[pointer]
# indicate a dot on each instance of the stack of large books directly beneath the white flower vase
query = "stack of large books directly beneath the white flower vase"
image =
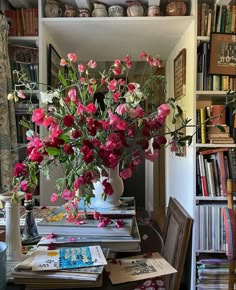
(118, 239)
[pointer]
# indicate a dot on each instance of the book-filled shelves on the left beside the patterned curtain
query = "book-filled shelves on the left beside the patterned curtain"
(23, 41)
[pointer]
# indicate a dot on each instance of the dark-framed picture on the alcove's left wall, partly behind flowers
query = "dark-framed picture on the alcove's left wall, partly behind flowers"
(53, 67)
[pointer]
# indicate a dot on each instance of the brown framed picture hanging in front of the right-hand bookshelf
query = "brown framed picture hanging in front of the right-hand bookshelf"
(222, 54)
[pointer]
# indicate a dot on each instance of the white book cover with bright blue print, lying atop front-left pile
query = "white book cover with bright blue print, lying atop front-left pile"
(68, 258)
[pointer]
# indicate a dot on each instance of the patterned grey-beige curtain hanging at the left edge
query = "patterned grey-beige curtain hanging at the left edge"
(8, 139)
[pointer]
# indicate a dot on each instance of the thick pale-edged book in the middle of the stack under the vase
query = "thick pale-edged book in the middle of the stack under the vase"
(59, 225)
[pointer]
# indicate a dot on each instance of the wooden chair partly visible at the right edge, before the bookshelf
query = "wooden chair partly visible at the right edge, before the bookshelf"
(229, 216)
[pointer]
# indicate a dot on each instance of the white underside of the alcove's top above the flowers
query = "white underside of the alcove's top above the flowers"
(120, 35)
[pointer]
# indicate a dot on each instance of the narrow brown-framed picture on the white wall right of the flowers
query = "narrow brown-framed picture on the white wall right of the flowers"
(180, 74)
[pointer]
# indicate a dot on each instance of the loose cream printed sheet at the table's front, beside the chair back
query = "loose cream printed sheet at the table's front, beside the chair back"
(138, 268)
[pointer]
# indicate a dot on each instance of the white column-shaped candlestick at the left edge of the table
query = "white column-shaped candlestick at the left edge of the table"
(13, 234)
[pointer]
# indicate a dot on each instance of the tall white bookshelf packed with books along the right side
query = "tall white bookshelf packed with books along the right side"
(211, 91)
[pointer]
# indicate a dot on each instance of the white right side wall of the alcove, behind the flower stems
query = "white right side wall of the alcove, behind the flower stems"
(180, 178)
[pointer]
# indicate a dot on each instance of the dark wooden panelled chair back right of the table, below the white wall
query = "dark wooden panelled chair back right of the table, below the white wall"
(176, 234)
